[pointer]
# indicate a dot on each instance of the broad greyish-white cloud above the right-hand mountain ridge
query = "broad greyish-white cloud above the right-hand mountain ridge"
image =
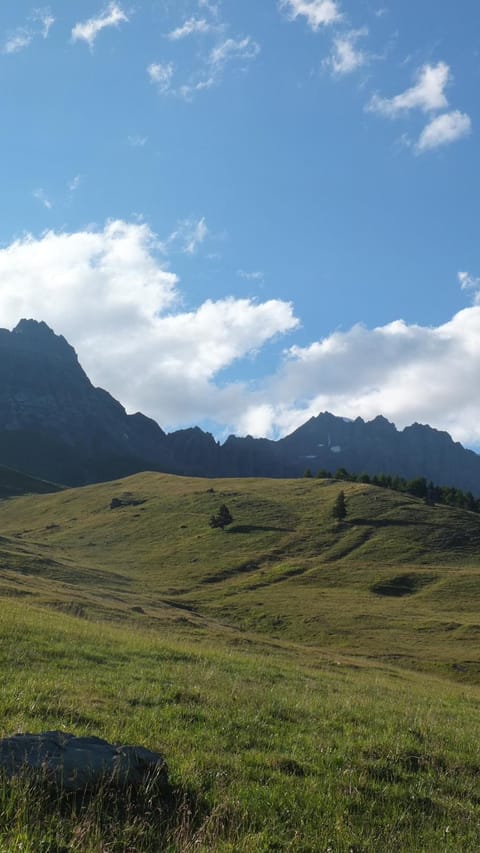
(406, 372)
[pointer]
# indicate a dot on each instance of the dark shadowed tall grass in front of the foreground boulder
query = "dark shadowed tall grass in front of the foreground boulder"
(148, 818)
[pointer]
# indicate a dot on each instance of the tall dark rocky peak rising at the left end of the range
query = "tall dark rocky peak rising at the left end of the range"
(54, 424)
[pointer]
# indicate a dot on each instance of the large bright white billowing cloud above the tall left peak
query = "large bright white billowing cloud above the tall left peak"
(109, 292)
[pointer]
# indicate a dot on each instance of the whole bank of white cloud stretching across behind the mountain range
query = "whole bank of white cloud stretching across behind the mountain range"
(109, 292)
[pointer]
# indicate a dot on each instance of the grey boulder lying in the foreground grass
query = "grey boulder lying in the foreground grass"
(75, 764)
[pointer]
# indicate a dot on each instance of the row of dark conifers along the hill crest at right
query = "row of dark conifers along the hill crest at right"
(419, 487)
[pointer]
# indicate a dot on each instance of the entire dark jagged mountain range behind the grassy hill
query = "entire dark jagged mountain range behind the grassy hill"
(54, 424)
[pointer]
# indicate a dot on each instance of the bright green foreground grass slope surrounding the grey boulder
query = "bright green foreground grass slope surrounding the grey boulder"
(285, 750)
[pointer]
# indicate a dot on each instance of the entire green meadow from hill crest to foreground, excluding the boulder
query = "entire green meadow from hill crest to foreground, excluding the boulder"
(312, 684)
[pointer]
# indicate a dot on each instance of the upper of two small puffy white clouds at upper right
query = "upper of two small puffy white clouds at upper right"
(428, 93)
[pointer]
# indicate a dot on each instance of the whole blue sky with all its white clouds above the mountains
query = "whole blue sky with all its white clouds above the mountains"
(242, 213)
